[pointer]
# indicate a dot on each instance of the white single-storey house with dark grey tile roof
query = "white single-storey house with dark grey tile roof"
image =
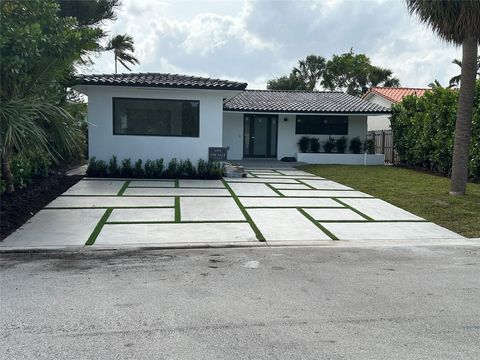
(151, 115)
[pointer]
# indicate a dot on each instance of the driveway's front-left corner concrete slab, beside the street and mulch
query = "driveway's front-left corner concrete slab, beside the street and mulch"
(56, 228)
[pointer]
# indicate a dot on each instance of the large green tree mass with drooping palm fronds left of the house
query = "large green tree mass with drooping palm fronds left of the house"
(39, 48)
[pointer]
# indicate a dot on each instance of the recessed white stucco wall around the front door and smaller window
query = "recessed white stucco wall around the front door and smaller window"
(287, 139)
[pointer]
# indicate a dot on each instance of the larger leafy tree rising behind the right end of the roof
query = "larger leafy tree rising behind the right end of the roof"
(355, 74)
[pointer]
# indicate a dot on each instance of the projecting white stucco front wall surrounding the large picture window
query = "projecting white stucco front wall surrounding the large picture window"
(103, 144)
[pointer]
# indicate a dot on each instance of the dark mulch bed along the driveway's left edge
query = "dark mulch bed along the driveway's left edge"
(21, 205)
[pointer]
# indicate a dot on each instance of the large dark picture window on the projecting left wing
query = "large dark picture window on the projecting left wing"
(155, 117)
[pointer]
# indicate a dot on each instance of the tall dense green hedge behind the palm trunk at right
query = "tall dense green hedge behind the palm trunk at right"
(424, 127)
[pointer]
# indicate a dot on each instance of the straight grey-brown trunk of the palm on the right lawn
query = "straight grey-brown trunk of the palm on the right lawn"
(463, 125)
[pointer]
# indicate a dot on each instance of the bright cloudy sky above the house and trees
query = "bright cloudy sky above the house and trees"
(255, 41)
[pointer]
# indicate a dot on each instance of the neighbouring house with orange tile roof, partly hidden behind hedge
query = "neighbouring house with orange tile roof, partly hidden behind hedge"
(386, 96)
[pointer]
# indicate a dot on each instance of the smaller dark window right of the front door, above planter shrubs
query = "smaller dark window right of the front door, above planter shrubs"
(321, 125)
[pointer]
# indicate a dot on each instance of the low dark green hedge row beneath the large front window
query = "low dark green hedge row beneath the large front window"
(155, 169)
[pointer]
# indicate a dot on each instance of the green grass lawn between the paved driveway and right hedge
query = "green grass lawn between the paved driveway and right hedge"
(420, 193)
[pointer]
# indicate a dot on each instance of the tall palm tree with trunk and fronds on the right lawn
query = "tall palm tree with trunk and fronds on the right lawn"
(458, 22)
